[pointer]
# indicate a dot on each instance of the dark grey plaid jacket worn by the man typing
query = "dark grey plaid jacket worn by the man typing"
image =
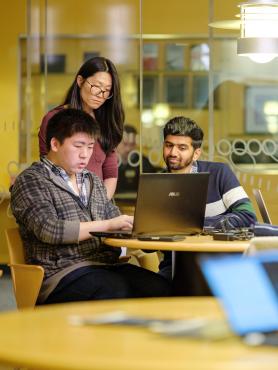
(49, 214)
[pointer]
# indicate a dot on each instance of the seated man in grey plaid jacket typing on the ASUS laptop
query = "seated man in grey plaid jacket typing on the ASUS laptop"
(57, 203)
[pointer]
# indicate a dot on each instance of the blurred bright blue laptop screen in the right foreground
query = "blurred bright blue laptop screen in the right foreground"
(247, 290)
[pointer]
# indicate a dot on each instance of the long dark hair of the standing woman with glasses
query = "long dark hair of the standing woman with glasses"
(110, 114)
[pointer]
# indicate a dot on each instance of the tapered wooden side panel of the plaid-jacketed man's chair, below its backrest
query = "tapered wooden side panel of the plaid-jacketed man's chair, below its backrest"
(27, 281)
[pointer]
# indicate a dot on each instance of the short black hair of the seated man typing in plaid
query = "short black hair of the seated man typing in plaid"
(68, 122)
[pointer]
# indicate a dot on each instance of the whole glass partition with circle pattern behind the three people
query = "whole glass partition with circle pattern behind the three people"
(168, 67)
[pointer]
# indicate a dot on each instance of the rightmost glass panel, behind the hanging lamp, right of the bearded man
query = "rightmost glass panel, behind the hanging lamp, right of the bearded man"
(246, 122)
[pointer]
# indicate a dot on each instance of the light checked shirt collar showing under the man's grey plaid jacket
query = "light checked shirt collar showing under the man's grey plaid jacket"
(80, 179)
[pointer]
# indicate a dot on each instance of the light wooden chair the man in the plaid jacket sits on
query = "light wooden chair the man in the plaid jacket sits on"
(27, 279)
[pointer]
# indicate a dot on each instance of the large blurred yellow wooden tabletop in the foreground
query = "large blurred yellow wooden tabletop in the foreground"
(44, 339)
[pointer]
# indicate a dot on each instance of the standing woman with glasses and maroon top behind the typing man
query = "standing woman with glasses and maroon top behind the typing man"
(96, 90)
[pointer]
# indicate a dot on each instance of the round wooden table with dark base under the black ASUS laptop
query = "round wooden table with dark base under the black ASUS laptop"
(188, 279)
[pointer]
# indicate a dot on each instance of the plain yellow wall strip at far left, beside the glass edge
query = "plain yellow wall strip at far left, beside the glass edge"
(12, 23)
